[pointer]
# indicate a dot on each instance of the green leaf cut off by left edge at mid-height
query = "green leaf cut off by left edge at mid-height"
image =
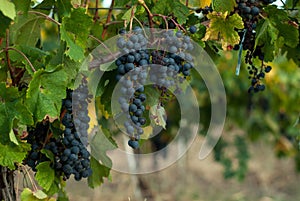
(12, 108)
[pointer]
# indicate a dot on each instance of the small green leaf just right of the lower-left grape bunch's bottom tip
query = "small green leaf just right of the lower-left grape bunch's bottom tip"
(99, 172)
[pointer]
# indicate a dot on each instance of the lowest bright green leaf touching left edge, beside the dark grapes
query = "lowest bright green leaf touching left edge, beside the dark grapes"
(11, 154)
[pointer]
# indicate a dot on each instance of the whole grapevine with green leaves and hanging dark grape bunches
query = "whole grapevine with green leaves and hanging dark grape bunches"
(146, 50)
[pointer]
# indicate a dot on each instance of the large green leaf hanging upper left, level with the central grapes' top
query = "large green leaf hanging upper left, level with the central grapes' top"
(75, 36)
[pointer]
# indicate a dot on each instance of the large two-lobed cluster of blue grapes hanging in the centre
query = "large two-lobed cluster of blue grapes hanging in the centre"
(163, 66)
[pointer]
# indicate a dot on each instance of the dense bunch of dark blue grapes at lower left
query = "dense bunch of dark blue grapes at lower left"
(68, 148)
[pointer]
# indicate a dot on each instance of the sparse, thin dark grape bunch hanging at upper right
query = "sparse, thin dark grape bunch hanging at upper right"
(250, 11)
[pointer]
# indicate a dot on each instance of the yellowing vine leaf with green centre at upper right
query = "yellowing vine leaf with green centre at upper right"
(222, 27)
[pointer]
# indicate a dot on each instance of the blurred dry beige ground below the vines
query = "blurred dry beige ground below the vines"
(191, 179)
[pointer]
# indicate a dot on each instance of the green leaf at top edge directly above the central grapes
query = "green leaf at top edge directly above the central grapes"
(175, 7)
